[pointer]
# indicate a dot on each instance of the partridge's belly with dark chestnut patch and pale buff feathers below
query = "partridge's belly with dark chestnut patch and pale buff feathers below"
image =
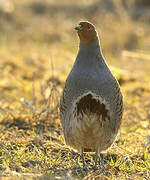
(90, 115)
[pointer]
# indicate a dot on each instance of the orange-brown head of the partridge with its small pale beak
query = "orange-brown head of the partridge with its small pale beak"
(86, 32)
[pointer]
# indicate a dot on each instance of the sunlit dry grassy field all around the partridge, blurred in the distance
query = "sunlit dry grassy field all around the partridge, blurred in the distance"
(38, 45)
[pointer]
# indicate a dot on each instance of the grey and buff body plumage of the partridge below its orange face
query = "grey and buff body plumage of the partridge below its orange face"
(91, 105)
